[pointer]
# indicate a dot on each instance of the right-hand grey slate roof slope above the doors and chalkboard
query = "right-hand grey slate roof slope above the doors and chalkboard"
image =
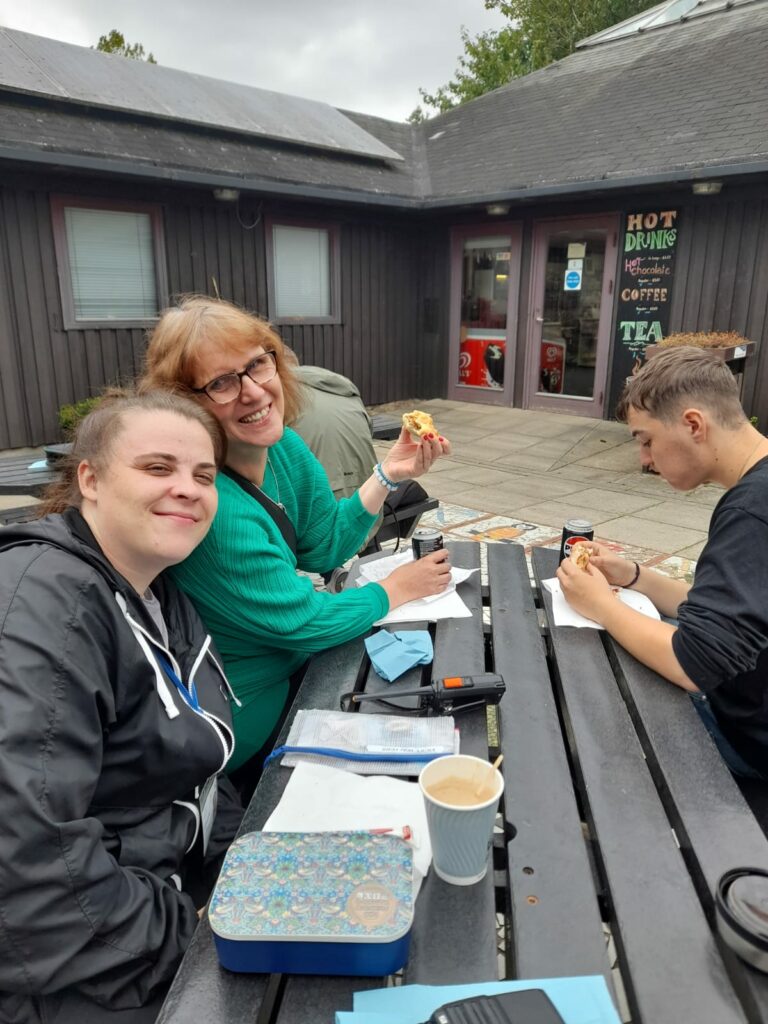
(676, 103)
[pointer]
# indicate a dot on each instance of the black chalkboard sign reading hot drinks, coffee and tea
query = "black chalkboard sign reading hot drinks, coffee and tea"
(645, 294)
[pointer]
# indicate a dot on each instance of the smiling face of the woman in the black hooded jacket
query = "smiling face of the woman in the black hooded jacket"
(154, 498)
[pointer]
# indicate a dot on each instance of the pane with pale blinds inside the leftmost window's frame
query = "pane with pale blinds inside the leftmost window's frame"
(112, 263)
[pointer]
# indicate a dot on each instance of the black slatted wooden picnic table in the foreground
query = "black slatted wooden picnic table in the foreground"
(619, 818)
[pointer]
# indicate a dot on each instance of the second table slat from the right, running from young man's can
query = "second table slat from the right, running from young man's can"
(670, 962)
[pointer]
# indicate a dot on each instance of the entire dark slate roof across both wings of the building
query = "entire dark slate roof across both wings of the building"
(681, 102)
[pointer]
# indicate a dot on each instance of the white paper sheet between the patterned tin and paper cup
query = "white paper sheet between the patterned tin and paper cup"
(322, 799)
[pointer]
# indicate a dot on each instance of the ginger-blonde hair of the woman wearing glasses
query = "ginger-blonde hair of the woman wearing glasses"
(199, 323)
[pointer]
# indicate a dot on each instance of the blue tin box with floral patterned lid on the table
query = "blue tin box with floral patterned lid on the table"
(315, 904)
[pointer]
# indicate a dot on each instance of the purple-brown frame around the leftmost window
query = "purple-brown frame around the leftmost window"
(71, 322)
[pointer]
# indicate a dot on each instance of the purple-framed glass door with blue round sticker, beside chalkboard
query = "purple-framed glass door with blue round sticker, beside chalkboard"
(570, 334)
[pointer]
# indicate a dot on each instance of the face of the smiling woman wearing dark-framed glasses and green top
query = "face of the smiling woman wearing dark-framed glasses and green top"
(255, 419)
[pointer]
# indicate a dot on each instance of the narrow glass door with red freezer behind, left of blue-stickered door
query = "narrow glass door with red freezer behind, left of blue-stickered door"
(486, 276)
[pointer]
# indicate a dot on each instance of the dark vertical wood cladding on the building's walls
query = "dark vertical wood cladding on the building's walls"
(394, 335)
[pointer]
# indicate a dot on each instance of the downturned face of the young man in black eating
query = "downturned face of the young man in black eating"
(674, 450)
